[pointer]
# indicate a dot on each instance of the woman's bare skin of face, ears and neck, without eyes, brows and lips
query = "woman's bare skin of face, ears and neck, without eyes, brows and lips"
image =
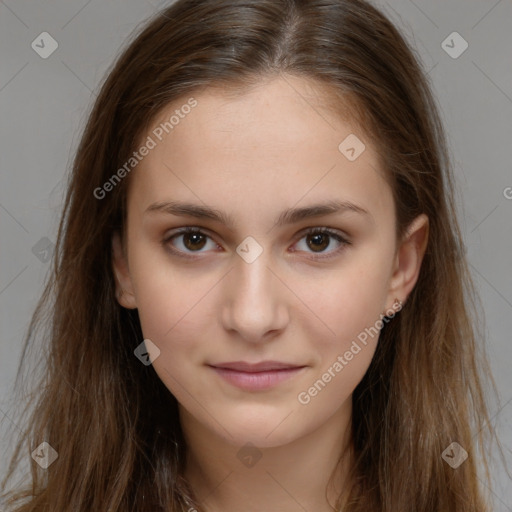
(252, 156)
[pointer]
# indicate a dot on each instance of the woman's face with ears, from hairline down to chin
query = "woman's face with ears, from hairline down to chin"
(292, 256)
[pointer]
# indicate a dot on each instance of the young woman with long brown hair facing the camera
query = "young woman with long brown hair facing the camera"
(317, 352)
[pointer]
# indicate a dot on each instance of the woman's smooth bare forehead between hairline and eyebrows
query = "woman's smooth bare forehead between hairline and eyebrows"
(266, 148)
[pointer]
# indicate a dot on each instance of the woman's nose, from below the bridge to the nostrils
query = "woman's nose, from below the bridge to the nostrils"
(255, 304)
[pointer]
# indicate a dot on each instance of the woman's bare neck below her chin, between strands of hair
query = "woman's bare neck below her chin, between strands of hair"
(290, 478)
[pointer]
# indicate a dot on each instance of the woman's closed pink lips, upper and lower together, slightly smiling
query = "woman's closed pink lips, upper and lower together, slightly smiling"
(256, 376)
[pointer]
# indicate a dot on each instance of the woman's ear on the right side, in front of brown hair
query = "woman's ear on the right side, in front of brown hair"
(408, 259)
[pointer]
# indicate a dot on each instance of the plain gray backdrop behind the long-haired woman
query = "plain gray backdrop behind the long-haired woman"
(44, 103)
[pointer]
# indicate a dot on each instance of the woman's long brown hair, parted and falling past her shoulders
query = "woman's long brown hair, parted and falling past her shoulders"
(111, 420)
